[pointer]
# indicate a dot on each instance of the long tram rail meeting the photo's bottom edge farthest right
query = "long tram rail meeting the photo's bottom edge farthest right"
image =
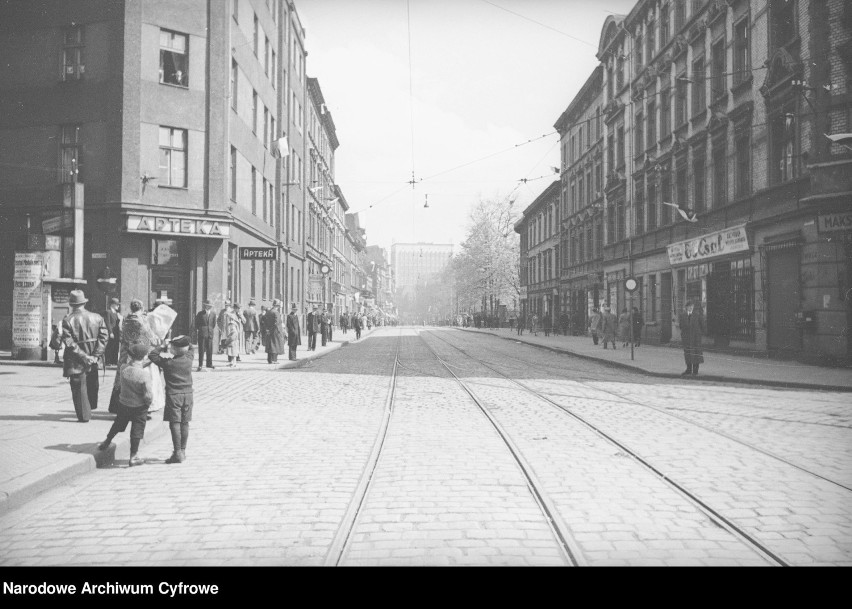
(714, 515)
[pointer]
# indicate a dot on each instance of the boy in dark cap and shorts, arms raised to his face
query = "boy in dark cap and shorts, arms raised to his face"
(176, 364)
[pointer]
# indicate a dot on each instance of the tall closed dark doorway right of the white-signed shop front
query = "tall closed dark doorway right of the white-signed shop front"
(784, 299)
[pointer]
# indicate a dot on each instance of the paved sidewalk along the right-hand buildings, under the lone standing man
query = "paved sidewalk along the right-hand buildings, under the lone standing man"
(667, 362)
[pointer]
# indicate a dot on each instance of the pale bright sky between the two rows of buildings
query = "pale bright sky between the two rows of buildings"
(453, 92)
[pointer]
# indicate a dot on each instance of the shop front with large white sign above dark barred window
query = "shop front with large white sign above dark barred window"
(716, 270)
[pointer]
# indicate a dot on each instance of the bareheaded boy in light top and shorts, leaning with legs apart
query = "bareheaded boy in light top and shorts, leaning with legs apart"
(136, 396)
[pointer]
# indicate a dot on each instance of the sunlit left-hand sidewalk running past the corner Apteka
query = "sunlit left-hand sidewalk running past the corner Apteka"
(43, 445)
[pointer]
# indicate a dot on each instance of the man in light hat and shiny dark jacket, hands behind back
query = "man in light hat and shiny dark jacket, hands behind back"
(84, 335)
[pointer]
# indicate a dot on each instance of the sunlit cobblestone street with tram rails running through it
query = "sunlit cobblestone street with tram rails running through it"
(606, 467)
